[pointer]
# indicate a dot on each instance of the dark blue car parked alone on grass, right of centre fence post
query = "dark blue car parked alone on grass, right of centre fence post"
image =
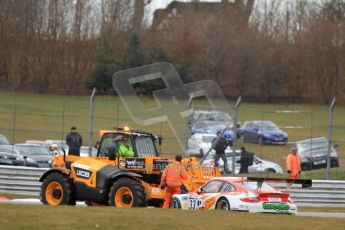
(262, 132)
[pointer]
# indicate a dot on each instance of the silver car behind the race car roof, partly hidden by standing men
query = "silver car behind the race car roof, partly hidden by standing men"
(259, 165)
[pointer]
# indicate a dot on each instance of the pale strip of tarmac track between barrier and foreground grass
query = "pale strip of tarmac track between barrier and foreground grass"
(310, 214)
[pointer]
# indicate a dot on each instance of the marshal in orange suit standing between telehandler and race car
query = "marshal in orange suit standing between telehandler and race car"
(172, 178)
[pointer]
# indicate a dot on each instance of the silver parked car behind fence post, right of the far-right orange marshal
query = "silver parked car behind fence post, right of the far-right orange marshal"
(313, 153)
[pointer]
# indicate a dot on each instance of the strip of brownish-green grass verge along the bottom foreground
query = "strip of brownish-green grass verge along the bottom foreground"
(48, 217)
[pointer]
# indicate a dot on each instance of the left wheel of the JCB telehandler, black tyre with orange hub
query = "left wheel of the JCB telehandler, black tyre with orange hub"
(56, 190)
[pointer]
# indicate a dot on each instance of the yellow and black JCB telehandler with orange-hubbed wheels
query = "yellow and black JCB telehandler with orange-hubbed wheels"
(110, 179)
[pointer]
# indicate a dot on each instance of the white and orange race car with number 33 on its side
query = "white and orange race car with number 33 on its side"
(236, 194)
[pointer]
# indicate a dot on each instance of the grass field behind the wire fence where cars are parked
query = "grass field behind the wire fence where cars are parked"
(25, 117)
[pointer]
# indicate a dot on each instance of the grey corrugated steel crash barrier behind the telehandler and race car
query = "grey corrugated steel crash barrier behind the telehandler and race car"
(24, 180)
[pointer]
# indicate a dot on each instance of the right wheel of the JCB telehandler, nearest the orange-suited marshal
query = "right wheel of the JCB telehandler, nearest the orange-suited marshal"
(127, 192)
